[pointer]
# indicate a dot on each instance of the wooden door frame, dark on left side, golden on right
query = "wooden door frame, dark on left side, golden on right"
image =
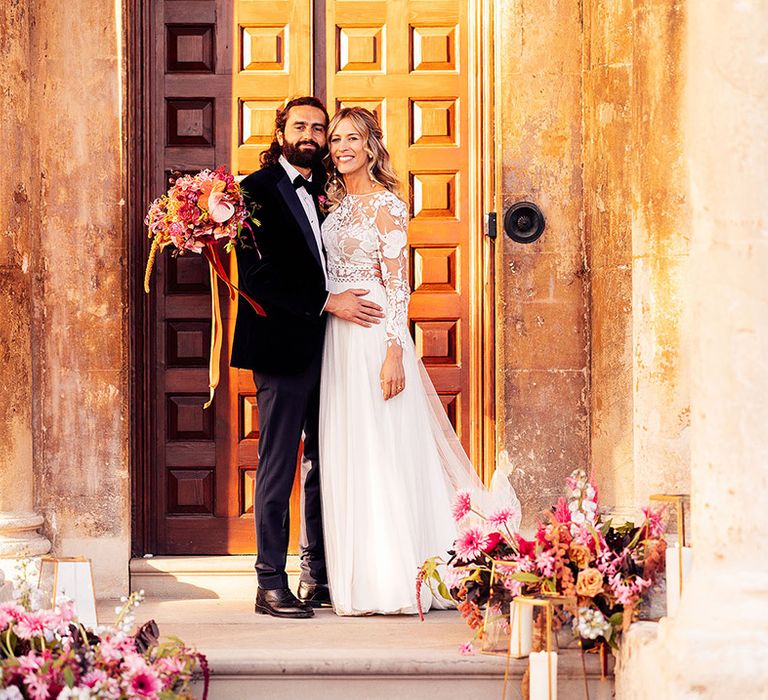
(485, 176)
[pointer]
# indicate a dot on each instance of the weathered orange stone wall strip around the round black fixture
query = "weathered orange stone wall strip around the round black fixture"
(542, 426)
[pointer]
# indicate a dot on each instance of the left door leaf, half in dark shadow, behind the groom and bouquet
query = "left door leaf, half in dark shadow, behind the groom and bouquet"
(220, 70)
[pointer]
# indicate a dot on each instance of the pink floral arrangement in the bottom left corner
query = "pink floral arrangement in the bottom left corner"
(46, 655)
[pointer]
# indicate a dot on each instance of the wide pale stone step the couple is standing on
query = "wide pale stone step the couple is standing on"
(342, 658)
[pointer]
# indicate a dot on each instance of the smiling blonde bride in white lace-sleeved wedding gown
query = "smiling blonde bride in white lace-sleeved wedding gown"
(391, 461)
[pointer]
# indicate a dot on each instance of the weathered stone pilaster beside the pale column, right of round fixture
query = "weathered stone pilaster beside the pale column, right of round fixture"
(637, 219)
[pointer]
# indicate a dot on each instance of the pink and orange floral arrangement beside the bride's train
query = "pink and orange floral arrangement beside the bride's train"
(576, 552)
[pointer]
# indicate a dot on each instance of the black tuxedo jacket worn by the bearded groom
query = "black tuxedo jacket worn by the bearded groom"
(284, 274)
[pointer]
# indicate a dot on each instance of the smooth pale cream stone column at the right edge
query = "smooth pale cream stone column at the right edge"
(717, 645)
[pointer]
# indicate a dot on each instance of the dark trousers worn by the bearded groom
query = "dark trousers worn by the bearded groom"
(288, 406)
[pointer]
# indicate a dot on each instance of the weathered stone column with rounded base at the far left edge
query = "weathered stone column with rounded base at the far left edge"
(18, 519)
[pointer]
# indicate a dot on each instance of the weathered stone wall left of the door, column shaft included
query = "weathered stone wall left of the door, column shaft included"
(64, 277)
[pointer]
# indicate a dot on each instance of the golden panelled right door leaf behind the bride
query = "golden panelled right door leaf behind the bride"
(407, 61)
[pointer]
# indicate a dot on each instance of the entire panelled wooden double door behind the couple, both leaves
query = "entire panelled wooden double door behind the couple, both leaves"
(221, 68)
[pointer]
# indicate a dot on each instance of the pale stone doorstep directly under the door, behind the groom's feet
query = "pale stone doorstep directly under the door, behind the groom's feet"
(179, 578)
